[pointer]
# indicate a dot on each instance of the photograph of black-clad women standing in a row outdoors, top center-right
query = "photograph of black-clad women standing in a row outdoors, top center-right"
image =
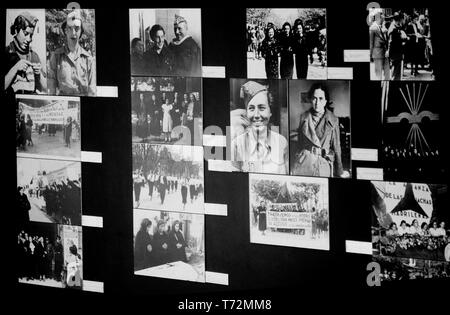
(286, 44)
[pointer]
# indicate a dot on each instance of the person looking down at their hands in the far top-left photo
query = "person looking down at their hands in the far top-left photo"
(23, 71)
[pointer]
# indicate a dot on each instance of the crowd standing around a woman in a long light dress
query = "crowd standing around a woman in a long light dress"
(157, 116)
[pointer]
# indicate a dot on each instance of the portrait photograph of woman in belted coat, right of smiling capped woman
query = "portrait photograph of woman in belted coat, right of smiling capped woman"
(319, 122)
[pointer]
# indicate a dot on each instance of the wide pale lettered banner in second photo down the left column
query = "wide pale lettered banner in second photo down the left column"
(53, 113)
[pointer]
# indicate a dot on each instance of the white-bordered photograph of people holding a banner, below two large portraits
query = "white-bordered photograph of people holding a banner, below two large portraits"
(289, 211)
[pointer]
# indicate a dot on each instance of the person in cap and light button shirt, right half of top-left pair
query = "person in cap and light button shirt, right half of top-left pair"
(71, 69)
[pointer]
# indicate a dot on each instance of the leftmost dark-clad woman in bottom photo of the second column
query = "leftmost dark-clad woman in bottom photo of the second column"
(143, 246)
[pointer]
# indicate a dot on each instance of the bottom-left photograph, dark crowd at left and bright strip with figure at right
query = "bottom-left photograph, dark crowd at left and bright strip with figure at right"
(50, 255)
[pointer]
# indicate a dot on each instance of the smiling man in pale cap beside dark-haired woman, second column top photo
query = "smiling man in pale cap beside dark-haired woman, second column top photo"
(185, 50)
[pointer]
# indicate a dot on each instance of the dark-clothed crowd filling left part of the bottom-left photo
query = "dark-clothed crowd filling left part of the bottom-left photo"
(39, 258)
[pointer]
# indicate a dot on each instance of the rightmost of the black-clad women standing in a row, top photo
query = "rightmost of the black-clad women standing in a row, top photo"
(300, 50)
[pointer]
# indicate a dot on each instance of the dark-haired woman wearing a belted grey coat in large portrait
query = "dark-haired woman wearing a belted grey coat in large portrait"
(319, 148)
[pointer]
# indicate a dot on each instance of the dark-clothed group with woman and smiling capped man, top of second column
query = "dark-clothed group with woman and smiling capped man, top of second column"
(182, 56)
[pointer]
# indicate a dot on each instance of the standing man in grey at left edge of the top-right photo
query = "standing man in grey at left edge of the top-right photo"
(379, 46)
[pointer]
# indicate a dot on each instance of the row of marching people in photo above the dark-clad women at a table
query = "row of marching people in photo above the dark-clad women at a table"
(161, 185)
